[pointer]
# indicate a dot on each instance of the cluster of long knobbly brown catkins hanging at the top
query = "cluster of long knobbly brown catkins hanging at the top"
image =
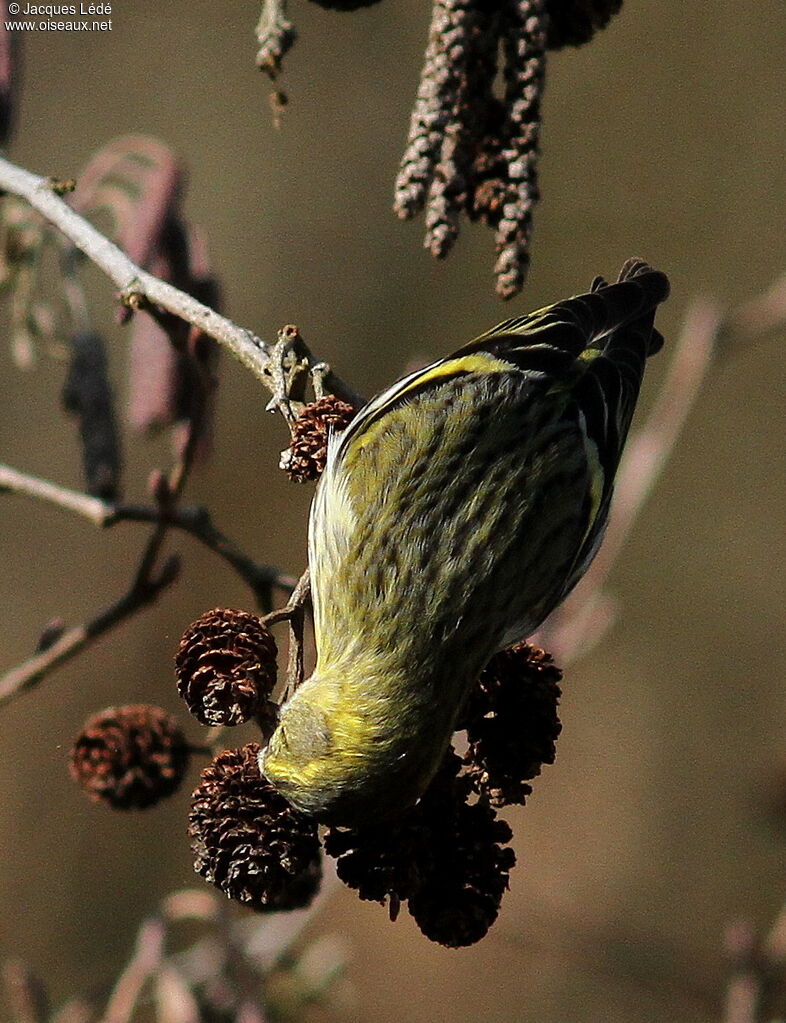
(470, 153)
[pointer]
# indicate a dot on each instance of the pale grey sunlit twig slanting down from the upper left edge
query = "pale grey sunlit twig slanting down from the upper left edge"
(141, 290)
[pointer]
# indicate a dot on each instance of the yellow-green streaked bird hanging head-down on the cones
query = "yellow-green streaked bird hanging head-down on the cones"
(456, 512)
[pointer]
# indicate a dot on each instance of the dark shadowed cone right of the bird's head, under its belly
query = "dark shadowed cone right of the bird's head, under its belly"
(512, 724)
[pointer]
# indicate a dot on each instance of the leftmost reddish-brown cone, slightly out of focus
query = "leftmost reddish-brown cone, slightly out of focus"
(130, 758)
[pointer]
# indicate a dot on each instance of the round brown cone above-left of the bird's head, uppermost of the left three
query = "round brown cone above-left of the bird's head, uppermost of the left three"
(226, 666)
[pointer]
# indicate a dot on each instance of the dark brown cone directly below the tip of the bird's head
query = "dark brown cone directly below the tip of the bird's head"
(248, 840)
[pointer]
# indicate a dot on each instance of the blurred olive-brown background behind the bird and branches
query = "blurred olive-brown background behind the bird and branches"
(659, 824)
